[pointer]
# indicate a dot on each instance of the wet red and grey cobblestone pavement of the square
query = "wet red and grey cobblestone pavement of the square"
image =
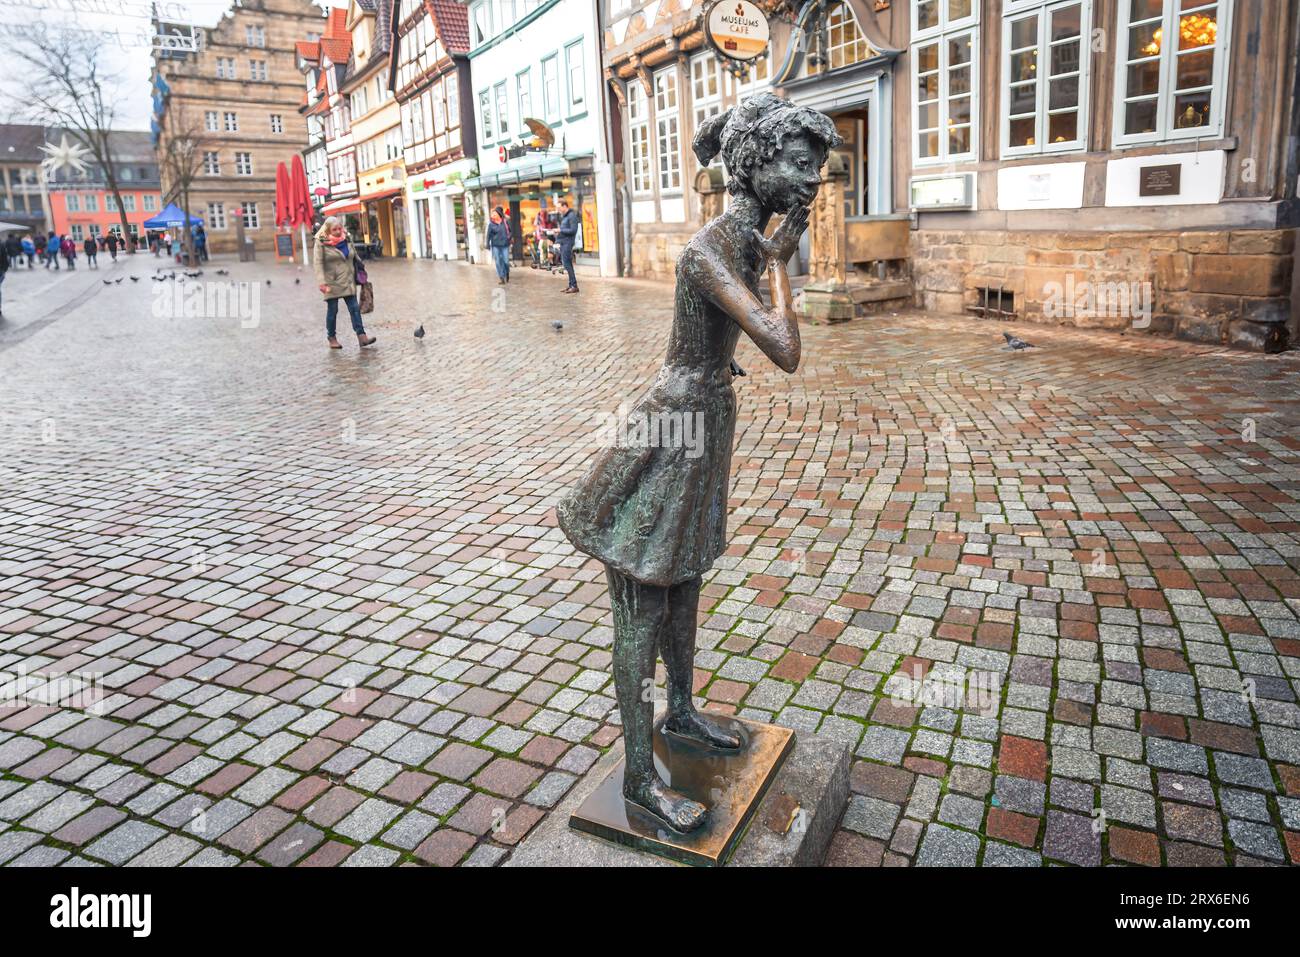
(1048, 599)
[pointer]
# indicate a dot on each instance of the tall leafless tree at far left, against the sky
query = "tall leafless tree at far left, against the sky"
(64, 85)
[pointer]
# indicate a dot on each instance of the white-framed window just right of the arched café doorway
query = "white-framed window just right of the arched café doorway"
(946, 103)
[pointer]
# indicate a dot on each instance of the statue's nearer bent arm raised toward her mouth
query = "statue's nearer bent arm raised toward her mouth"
(775, 331)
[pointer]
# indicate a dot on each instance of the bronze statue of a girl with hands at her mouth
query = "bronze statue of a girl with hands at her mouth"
(656, 513)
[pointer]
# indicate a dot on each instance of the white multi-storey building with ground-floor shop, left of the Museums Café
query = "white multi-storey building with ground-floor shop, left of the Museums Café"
(540, 60)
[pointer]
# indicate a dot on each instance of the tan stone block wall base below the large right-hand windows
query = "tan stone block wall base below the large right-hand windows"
(1221, 287)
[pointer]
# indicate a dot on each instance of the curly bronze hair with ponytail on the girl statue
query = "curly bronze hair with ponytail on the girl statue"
(755, 132)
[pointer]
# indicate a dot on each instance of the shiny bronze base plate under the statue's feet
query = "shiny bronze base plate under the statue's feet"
(730, 783)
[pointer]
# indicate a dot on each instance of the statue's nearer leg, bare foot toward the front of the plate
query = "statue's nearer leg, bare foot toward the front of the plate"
(640, 614)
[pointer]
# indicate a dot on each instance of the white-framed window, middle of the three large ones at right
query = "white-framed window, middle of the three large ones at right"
(1045, 102)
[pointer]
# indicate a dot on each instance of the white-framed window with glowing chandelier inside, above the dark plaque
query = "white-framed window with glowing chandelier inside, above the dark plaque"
(1165, 90)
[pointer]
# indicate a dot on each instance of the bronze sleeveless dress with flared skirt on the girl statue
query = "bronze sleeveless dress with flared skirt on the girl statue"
(658, 514)
